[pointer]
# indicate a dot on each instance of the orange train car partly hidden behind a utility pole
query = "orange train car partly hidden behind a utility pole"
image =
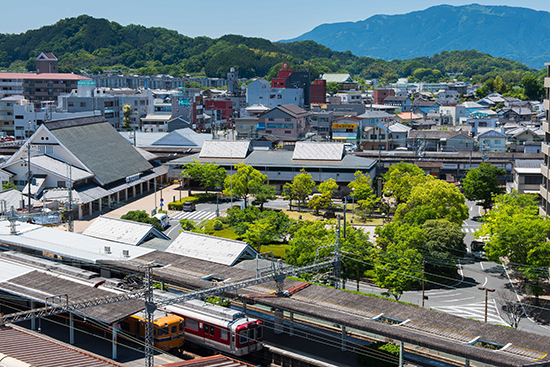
(168, 330)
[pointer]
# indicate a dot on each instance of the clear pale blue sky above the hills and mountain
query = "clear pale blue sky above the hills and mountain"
(274, 20)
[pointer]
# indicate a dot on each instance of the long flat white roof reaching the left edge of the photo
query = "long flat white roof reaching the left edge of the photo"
(66, 244)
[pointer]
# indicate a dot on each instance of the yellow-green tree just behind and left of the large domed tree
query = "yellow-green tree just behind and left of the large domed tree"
(401, 178)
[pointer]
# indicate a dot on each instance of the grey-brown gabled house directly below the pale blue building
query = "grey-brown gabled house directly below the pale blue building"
(288, 122)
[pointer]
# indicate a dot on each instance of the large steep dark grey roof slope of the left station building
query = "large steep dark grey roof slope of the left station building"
(99, 147)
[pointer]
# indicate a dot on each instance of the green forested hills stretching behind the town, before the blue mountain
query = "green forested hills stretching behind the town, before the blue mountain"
(86, 43)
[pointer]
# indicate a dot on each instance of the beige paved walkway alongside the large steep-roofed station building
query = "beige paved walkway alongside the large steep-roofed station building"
(146, 203)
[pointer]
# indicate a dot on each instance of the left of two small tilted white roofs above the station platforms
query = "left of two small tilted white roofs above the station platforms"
(122, 231)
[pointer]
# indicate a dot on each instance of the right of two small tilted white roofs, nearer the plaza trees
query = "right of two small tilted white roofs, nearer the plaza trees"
(215, 249)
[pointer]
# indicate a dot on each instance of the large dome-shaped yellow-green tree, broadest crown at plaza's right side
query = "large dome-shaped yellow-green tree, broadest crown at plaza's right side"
(444, 198)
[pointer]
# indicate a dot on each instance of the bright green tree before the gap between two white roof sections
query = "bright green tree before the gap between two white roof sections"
(246, 181)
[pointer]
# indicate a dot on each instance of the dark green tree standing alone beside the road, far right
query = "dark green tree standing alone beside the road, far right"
(481, 183)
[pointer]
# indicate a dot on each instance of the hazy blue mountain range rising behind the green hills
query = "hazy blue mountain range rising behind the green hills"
(515, 33)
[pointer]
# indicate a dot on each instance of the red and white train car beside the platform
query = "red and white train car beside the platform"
(221, 328)
